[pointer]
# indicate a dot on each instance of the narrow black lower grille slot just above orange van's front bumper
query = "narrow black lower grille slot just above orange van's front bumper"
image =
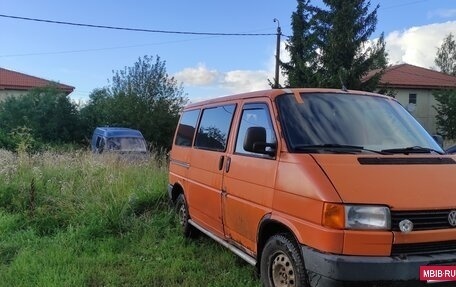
(423, 248)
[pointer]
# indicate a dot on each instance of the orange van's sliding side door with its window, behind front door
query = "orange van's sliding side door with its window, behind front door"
(207, 166)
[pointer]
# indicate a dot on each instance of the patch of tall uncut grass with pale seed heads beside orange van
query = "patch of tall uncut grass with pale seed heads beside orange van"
(54, 191)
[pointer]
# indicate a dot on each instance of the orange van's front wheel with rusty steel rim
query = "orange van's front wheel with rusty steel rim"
(282, 263)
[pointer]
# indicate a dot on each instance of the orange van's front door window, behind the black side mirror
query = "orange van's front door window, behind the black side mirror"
(254, 115)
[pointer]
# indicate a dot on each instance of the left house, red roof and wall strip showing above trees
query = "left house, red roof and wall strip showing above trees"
(16, 84)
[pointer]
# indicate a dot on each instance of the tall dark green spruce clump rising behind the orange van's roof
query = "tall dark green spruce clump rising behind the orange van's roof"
(331, 48)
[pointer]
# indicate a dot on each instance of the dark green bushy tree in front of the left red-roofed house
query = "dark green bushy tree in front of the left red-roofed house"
(47, 112)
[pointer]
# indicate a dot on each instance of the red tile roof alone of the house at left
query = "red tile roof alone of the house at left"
(11, 80)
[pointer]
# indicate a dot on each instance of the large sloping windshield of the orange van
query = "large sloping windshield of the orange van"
(332, 122)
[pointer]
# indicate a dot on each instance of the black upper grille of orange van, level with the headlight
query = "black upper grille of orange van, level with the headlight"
(422, 220)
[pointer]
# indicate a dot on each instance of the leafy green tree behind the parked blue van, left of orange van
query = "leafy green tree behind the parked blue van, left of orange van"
(143, 97)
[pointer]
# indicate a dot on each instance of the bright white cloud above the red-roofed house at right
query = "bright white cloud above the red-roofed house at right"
(417, 45)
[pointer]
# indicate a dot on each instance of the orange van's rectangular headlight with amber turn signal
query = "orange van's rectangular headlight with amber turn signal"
(356, 217)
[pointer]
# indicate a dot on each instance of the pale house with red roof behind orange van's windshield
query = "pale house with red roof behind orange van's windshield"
(413, 87)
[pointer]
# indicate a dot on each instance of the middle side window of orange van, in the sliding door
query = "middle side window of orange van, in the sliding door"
(214, 128)
